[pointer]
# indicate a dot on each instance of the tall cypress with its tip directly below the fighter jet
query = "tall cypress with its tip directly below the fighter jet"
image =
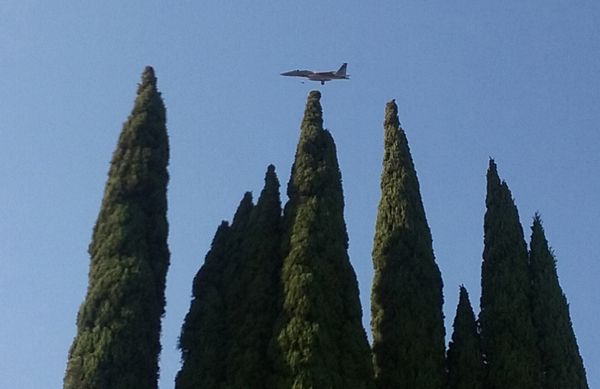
(320, 338)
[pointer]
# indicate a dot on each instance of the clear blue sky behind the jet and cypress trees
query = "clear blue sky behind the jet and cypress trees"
(517, 81)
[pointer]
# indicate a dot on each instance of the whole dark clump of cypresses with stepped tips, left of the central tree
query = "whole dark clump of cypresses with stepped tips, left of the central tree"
(225, 336)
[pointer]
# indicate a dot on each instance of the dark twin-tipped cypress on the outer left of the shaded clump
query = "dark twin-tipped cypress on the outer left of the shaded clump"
(205, 331)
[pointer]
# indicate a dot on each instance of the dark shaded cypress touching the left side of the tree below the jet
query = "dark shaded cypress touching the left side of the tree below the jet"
(254, 292)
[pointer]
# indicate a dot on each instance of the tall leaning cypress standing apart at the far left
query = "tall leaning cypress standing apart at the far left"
(118, 325)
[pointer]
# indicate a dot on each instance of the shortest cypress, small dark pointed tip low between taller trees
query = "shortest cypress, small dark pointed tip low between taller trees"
(464, 360)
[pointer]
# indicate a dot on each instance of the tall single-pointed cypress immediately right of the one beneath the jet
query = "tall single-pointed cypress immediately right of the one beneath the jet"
(406, 301)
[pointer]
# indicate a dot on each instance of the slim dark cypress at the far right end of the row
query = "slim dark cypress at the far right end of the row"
(561, 361)
